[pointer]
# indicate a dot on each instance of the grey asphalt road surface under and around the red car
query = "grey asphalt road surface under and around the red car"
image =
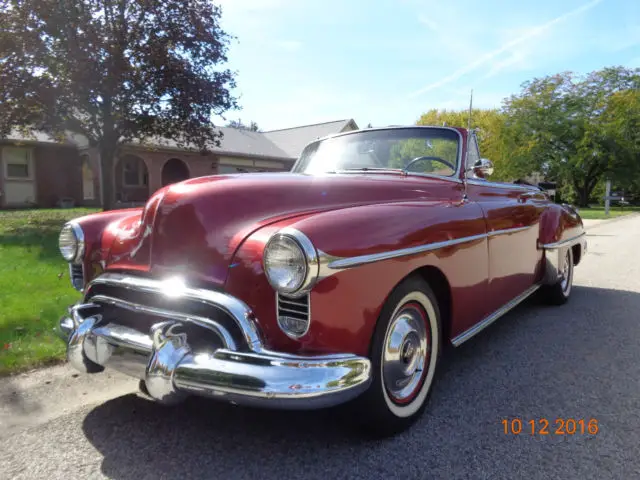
(578, 361)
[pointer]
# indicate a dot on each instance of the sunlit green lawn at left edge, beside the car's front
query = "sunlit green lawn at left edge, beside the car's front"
(34, 286)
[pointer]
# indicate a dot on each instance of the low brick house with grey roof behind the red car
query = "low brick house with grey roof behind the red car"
(41, 172)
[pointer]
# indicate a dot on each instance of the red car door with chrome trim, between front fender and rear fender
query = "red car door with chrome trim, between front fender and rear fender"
(512, 215)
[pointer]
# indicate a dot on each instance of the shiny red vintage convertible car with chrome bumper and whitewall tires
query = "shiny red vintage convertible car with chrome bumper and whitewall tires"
(340, 281)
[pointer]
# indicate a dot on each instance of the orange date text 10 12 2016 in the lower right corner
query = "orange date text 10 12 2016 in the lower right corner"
(543, 426)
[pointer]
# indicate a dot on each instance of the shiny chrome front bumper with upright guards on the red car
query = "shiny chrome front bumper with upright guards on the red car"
(172, 368)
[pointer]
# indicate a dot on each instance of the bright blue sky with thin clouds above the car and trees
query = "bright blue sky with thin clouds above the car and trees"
(386, 62)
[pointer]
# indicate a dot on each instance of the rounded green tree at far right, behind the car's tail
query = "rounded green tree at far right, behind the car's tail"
(559, 125)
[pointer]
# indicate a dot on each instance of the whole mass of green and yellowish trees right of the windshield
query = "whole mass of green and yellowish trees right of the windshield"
(574, 130)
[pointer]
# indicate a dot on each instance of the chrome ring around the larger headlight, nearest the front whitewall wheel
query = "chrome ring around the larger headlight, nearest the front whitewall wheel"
(310, 259)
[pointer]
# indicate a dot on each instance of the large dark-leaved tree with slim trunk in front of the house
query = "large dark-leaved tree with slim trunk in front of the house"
(114, 71)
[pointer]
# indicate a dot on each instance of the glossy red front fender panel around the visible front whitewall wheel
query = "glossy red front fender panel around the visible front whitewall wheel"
(345, 305)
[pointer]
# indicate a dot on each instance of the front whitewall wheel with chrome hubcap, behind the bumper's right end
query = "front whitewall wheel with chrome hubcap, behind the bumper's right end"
(404, 355)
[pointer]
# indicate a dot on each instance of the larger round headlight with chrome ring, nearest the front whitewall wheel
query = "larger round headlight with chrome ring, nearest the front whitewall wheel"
(290, 262)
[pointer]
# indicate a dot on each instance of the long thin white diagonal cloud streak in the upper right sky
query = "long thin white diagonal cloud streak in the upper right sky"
(509, 46)
